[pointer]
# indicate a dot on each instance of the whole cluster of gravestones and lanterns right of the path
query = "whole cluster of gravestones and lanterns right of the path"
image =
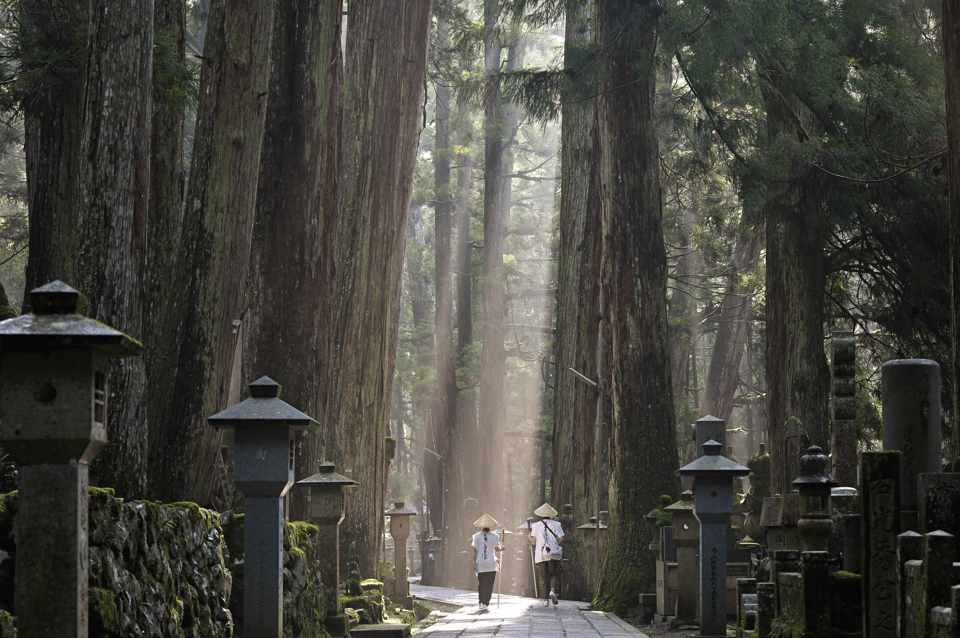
(875, 556)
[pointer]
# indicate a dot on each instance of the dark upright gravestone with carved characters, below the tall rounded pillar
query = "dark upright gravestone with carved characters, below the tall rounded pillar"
(880, 526)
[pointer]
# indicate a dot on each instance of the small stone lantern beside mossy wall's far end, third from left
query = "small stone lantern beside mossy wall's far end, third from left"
(325, 508)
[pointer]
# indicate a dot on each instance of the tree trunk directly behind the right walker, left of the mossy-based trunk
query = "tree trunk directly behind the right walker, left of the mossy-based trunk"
(574, 477)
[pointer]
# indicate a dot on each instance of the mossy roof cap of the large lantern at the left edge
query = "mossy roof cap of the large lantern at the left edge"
(58, 321)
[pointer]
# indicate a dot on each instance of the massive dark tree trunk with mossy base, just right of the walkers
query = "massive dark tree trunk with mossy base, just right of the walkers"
(643, 448)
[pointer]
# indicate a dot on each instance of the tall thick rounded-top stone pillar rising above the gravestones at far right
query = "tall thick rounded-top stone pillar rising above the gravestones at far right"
(911, 424)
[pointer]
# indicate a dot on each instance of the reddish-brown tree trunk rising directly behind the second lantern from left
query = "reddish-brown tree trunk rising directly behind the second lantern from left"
(288, 329)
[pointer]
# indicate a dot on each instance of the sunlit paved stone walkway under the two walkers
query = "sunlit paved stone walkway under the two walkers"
(516, 617)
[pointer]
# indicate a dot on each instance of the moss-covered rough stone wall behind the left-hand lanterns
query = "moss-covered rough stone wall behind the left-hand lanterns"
(172, 571)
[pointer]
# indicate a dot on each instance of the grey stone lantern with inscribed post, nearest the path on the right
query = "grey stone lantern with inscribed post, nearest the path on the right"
(713, 505)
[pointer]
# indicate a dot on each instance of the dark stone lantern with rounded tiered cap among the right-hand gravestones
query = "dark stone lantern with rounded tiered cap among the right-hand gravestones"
(815, 483)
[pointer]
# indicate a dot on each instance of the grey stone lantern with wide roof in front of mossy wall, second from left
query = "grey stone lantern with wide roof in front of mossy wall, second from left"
(263, 461)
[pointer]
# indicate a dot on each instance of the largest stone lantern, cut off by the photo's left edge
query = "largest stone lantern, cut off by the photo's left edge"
(53, 422)
